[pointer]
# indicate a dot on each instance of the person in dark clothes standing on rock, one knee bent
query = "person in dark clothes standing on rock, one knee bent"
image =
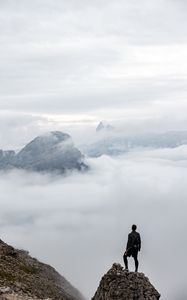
(133, 246)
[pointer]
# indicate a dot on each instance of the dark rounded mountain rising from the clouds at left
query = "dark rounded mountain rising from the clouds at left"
(53, 151)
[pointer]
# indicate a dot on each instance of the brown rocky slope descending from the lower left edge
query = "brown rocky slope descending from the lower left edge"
(25, 278)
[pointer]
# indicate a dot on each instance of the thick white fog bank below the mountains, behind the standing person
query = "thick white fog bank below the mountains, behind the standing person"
(79, 223)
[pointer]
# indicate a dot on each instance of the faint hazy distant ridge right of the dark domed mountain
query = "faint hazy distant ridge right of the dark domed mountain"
(116, 143)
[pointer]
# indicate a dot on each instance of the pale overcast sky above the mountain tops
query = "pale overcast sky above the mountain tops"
(91, 60)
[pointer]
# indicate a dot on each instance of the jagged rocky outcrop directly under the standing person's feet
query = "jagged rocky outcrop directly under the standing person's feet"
(118, 284)
